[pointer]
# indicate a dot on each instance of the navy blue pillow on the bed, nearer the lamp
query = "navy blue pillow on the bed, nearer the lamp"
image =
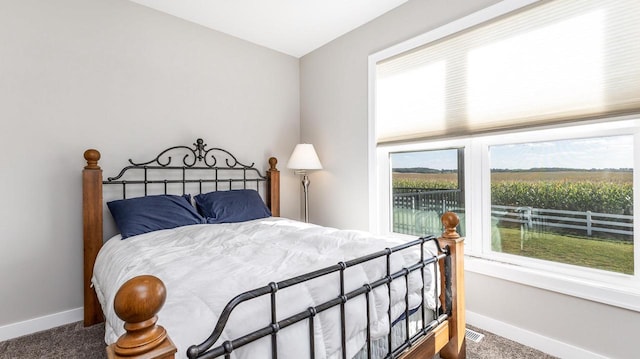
(231, 206)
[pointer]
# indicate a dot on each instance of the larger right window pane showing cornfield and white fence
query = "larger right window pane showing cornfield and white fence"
(567, 201)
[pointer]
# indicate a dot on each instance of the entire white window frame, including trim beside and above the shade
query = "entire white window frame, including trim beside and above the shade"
(602, 286)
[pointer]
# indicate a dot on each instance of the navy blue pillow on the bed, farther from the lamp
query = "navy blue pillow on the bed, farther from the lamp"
(152, 213)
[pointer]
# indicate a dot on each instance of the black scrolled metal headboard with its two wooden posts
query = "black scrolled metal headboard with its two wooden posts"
(201, 170)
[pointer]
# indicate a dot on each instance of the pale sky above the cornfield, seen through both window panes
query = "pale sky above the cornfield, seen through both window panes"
(591, 153)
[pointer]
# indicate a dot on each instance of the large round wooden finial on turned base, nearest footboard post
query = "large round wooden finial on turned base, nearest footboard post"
(137, 302)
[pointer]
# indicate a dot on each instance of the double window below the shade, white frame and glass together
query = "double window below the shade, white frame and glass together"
(558, 201)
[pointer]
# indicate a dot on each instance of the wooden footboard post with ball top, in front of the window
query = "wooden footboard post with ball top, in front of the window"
(456, 347)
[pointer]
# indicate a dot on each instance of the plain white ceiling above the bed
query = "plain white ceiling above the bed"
(294, 27)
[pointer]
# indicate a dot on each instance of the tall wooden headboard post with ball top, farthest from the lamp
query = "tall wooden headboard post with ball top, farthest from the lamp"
(92, 232)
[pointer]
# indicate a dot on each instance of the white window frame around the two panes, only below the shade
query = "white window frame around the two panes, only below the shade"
(608, 287)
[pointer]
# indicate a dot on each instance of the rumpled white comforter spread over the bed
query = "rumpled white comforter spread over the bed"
(204, 266)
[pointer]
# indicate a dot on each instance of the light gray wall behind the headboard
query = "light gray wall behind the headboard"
(127, 80)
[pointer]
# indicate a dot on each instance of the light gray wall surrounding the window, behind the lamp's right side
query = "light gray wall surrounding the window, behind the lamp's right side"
(334, 90)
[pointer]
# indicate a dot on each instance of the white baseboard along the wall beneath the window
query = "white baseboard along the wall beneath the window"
(534, 340)
